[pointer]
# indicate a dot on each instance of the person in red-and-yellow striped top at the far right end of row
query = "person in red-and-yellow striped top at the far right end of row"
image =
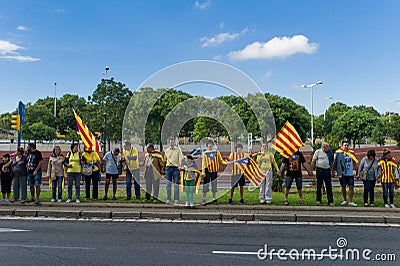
(388, 174)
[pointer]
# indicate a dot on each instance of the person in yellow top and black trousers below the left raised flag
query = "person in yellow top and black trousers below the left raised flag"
(92, 158)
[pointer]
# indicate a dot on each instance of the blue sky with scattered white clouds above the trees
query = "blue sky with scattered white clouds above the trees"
(350, 45)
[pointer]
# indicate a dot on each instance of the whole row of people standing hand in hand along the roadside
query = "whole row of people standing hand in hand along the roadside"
(24, 168)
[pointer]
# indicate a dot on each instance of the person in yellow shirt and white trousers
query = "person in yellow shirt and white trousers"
(265, 161)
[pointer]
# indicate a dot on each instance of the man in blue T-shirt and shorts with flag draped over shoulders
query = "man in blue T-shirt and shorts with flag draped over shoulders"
(345, 163)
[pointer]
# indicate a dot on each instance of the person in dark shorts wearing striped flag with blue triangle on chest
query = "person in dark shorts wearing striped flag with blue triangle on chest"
(211, 162)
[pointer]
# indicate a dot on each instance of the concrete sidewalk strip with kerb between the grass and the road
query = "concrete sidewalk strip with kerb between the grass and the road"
(244, 213)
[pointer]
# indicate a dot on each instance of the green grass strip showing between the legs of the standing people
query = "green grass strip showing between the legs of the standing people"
(251, 197)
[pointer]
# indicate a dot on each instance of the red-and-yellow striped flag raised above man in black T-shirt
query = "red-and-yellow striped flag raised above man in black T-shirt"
(287, 141)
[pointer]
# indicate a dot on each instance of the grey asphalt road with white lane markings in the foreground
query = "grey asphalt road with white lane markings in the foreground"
(144, 243)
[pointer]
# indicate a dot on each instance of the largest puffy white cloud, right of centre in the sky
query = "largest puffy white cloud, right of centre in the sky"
(278, 47)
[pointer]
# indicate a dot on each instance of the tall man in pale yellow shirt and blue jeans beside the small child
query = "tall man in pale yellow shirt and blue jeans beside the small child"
(174, 157)
